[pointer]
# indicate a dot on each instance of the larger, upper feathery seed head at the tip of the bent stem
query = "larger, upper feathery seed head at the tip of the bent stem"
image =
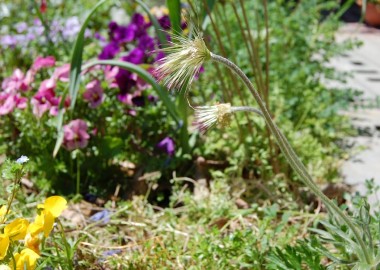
(183, 62)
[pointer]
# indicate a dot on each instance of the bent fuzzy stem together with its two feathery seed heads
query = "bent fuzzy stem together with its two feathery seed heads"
(179, 68)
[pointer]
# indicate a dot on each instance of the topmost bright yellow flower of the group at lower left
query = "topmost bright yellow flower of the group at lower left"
(50, 209)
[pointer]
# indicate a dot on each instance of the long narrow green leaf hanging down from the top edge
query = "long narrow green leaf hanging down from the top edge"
(76, 57)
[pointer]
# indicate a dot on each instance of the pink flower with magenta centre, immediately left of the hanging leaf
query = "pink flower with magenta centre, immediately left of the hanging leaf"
(45, 99)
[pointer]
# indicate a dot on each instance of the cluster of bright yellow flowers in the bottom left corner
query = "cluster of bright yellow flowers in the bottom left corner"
(21, 231)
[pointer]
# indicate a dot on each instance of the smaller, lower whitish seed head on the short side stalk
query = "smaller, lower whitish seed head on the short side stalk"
(208, 116)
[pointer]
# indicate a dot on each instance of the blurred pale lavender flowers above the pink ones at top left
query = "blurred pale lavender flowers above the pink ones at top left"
(23, 34)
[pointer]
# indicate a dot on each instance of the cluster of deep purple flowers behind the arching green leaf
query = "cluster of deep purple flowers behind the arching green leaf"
(134, 36)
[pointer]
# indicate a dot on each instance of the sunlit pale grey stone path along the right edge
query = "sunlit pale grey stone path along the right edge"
(364, 65)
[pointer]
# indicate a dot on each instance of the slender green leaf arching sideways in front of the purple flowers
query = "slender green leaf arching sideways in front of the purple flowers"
(143, 74)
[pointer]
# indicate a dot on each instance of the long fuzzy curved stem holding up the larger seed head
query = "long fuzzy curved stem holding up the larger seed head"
(290, 155)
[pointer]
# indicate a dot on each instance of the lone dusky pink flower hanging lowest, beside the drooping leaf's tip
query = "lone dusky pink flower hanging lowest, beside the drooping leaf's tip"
(75, 135)
